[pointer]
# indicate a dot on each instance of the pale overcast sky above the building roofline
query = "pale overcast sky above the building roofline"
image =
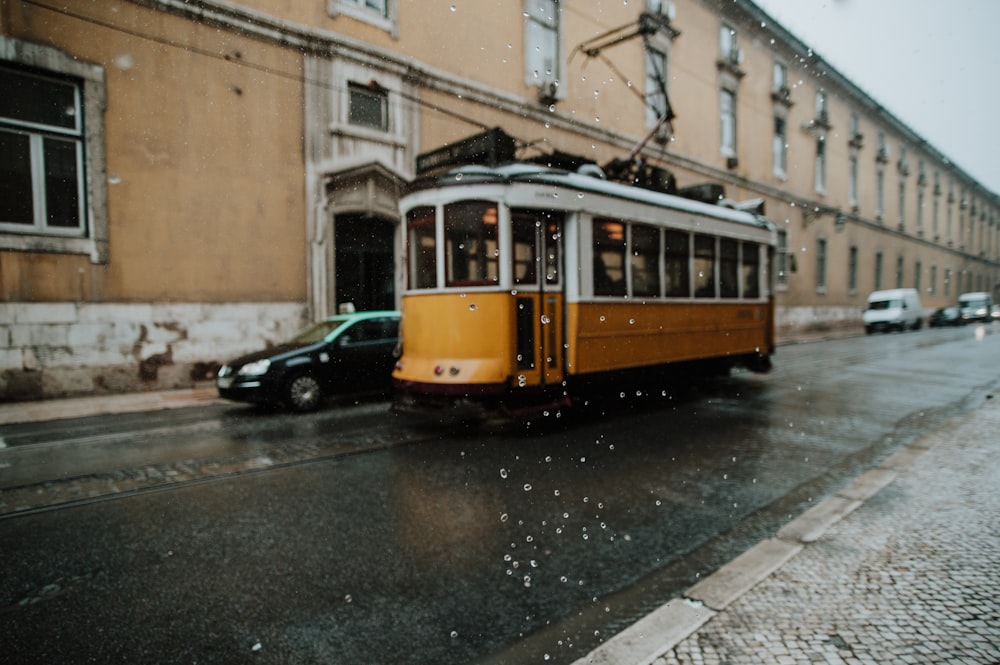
(932, 63)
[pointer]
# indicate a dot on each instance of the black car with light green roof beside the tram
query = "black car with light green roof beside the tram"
(349, 353)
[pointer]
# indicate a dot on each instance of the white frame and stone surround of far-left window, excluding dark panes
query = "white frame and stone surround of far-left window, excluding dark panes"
(91, 237)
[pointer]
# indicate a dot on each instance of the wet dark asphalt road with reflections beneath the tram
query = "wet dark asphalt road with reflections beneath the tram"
(381, 542)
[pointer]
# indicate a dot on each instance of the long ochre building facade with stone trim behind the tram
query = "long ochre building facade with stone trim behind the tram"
(184, 180)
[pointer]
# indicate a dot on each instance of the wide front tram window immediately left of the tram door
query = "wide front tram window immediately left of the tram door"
(471, 246)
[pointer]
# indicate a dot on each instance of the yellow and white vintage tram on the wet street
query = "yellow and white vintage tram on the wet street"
(525, 283)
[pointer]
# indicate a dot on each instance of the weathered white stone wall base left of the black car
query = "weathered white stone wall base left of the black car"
(50, 350)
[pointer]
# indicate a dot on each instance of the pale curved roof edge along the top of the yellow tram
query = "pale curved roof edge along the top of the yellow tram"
(590, 180)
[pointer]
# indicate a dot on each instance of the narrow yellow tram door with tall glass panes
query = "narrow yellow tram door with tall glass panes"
(537, 237)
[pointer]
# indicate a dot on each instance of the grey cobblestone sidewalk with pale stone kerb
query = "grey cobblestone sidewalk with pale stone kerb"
(898, 567)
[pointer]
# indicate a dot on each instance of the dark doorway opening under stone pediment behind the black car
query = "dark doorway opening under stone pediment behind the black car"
(364, 262)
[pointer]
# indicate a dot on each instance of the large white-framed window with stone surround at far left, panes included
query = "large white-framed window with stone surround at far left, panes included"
(51, 149)
